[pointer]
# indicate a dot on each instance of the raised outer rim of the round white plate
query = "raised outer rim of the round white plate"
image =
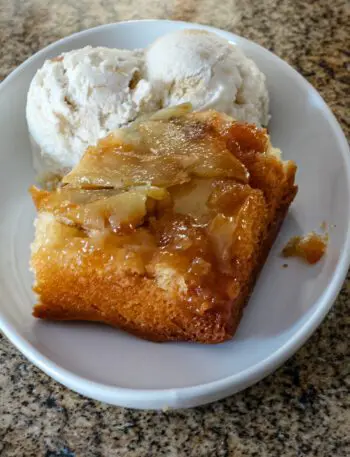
(198, 394)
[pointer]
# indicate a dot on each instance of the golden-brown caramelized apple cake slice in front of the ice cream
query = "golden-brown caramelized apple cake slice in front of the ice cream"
(162, 228)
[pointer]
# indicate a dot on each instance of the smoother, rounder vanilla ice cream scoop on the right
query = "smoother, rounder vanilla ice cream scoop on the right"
(209, 72)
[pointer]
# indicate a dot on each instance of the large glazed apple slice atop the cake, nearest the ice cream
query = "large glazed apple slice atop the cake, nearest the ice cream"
(158, 152)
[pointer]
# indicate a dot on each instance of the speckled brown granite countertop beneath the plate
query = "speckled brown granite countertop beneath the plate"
(303, 409)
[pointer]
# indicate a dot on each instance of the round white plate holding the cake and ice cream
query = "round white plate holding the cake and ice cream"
(287, 305)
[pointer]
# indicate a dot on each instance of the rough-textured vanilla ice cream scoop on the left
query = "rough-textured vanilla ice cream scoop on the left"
(79, 97)
